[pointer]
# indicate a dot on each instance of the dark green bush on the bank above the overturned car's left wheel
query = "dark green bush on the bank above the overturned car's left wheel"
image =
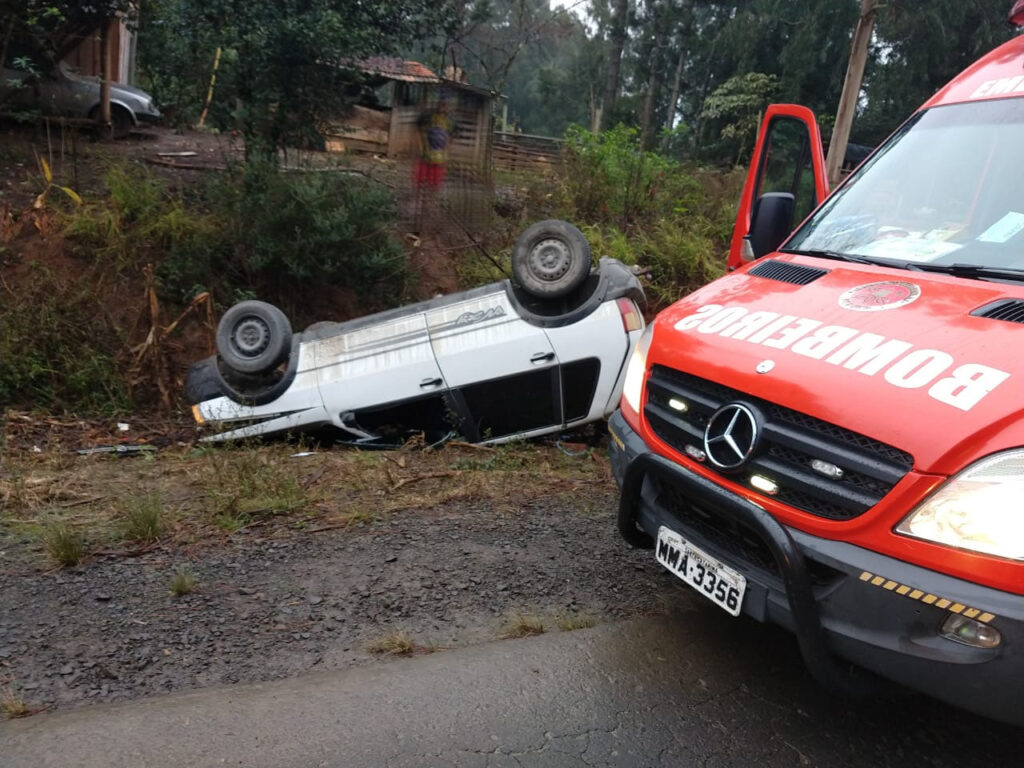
(268, 231)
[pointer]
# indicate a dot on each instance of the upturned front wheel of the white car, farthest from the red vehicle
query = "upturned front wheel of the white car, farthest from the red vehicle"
(254, 337)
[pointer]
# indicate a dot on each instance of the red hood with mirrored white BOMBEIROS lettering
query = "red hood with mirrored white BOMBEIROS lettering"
(910, 359)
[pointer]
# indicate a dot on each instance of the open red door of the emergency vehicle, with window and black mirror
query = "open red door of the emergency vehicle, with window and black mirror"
(786, 182)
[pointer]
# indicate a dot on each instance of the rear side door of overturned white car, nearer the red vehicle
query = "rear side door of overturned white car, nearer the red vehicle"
(502, 371)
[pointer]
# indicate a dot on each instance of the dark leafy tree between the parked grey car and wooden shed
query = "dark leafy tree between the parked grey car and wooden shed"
(290, 62)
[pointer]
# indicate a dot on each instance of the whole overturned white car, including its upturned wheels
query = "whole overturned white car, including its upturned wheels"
(505, 361)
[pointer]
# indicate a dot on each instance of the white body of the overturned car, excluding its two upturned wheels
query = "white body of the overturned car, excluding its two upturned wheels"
(471, 357)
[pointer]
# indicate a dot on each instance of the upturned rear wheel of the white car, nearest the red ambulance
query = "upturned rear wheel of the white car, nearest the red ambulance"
(551, 260)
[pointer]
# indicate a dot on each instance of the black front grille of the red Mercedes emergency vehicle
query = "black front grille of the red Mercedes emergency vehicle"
(818, 467)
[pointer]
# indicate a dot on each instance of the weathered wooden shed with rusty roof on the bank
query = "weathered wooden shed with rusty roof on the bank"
(407, 91)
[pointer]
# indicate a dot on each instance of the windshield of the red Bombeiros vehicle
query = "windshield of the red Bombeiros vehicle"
(947, 190)
